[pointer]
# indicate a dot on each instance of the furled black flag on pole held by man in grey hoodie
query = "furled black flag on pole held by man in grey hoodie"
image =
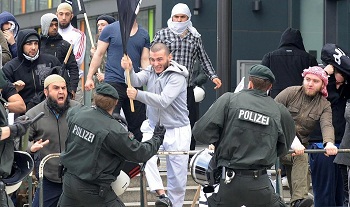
(127, 11)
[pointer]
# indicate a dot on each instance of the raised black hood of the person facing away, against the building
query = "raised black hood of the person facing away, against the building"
(292, 37)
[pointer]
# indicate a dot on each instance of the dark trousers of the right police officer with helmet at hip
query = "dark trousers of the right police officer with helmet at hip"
(246, 191)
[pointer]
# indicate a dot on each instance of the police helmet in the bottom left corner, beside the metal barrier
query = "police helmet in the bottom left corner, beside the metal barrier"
(22, 166)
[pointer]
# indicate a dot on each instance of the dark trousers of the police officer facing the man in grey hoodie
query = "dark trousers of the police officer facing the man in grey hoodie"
(77, 193)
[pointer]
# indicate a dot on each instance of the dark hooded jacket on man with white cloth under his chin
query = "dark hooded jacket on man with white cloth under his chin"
(32, 73)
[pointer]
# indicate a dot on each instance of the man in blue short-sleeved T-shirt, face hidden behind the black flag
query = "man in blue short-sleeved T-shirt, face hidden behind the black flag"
(138, 50)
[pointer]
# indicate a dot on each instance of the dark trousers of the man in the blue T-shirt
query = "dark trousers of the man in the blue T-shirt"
(134, 119)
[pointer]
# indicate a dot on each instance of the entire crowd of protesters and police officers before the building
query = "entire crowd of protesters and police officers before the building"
(290, 102)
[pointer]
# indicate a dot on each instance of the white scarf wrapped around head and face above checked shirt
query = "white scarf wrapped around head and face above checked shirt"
(179, 27)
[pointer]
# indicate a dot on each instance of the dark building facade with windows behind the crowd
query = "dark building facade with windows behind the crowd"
(254, 27)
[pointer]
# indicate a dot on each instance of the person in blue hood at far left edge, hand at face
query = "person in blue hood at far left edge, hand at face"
(10, 29)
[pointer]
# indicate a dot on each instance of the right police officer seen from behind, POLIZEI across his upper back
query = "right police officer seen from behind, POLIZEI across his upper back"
(250, 130)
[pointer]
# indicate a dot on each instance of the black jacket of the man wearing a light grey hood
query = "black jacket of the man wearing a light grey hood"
(58, 47)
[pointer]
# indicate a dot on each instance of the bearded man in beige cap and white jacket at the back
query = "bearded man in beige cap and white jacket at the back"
(73, 36)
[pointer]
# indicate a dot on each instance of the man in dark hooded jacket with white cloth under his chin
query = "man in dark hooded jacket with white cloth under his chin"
(28, 71)
